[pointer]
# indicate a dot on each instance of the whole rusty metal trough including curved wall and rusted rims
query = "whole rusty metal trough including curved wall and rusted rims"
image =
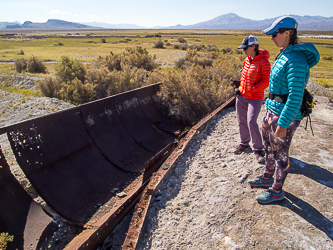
(77, 157)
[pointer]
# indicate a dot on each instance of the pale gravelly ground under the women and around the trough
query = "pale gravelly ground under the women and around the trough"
(205, 202)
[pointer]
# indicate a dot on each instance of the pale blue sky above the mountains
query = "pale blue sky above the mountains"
(150, 13)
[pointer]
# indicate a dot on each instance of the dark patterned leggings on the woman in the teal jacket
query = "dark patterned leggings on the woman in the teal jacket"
(277, 149)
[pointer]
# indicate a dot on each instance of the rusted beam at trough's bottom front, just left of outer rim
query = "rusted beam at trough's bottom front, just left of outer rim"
(95, 233)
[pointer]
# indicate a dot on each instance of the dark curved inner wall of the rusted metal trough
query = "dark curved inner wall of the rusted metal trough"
(74, 158)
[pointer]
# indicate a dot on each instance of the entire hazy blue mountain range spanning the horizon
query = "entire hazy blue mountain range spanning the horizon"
(230, 21)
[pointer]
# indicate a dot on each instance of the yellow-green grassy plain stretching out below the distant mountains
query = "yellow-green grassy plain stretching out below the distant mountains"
(88, 46)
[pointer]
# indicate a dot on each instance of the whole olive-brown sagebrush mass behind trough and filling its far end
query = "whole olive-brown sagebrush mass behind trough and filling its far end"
(195, 86)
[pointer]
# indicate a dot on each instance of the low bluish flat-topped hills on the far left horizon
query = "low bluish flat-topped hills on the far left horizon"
(51, 24)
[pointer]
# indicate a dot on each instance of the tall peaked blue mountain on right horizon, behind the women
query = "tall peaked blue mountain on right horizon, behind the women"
(232, 21)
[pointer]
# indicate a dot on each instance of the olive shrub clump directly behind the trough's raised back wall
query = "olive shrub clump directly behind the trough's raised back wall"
(108, 76)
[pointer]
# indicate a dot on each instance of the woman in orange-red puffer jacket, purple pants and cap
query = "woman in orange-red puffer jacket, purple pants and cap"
(254, 80)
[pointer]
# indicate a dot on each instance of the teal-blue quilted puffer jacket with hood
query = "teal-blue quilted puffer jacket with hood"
(289, 76)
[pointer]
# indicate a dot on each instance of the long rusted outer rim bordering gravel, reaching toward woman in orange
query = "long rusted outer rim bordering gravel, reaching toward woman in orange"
(143, 205)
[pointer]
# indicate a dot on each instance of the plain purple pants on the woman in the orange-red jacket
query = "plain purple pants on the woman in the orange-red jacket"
(247, 114)
